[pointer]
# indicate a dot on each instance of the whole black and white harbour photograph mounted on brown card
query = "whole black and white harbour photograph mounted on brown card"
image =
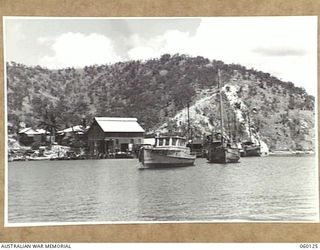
(160, 120)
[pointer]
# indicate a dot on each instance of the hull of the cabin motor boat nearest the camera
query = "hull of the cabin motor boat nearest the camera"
(153, 158)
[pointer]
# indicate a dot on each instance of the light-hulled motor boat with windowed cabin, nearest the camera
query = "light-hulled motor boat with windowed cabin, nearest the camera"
(168, 151)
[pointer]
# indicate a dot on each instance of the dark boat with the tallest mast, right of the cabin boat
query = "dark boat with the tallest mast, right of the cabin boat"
(220, 150)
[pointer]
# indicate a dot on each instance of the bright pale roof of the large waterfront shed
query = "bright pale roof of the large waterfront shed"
(119, 124)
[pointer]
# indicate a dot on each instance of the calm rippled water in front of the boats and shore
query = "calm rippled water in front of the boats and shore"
(257, 189)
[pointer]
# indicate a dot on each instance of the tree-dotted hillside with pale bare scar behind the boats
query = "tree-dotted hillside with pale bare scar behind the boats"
(158, 91)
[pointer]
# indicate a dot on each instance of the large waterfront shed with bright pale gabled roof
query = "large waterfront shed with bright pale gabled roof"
(113, 134)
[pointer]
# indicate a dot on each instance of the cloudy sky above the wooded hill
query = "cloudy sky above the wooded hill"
(285, 47)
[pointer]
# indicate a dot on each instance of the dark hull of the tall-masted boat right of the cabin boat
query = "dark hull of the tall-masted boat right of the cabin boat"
(223, 155)
